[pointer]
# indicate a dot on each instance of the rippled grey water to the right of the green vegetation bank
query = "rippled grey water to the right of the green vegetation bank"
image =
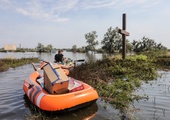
(157, 107)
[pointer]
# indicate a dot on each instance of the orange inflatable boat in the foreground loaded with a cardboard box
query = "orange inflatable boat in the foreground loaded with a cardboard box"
(55, 91)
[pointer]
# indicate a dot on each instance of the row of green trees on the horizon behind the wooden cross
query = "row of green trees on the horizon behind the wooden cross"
(112, 43)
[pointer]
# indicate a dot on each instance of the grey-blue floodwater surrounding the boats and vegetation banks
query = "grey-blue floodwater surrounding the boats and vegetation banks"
(14, 105)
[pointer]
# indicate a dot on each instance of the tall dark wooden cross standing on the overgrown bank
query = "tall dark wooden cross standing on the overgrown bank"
(124, 34)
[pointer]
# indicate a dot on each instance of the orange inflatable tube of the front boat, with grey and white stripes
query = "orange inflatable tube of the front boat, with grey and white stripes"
(50, 102)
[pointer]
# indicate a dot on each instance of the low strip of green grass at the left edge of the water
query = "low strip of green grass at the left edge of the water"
(6, 63)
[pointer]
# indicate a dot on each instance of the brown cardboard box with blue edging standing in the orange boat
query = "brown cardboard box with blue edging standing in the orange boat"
(55, 80)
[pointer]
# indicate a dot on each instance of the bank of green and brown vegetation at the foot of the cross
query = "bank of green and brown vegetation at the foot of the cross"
(116, 79)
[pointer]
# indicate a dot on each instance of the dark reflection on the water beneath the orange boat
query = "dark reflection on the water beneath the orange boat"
(80, 114)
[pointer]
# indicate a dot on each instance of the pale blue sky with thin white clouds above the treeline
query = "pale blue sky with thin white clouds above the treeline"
(63, 23)
